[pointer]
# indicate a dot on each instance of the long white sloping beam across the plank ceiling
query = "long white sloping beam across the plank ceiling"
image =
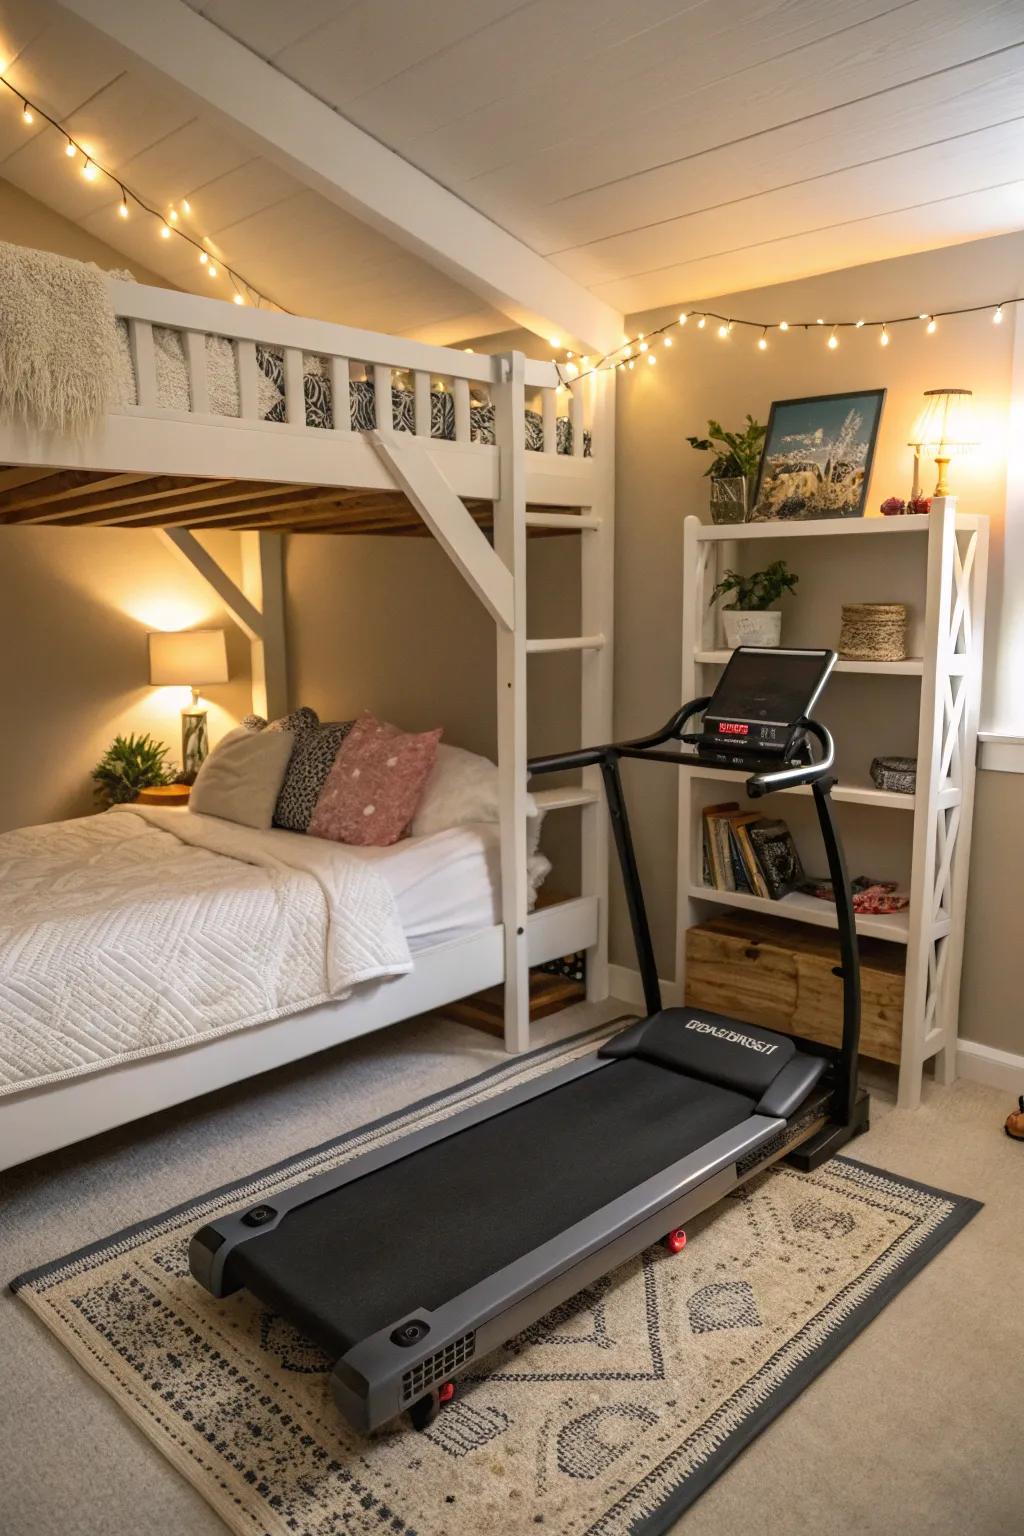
(325, 151)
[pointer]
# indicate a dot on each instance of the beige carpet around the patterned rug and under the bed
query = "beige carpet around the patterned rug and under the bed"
(911, 1431)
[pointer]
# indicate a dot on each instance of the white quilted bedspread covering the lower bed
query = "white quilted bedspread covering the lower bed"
(147, 930)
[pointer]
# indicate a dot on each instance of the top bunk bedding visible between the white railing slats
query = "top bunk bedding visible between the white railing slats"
(173, 394)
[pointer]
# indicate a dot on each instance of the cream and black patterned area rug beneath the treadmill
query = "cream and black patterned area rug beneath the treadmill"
(607, 1418)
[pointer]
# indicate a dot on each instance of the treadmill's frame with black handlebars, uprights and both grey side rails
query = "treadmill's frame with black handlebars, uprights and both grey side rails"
(382, 1377)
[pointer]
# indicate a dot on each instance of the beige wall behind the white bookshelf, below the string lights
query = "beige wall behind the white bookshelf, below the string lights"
(659, 482)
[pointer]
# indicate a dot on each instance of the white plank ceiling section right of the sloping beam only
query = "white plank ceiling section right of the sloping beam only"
(670, 150)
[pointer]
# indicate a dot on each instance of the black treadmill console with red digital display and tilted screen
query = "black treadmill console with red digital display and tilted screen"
(761, 703)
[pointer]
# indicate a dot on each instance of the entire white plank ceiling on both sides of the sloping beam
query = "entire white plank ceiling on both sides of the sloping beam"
(655, 151)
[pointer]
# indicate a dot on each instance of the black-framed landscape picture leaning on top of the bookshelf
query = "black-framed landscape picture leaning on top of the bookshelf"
(818, 457)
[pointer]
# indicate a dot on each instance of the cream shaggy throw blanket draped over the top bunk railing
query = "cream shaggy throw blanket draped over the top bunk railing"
(58, 340)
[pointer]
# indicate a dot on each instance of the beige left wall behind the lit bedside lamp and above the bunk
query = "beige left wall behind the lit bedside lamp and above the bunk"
(76, 606)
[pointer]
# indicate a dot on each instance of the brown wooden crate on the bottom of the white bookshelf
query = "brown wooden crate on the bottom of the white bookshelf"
(779, 975)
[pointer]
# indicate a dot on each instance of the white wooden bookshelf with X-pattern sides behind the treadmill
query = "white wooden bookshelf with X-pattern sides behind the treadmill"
(927, 707)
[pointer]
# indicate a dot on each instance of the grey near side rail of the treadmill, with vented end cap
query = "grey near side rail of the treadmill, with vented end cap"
(378, 1379)
